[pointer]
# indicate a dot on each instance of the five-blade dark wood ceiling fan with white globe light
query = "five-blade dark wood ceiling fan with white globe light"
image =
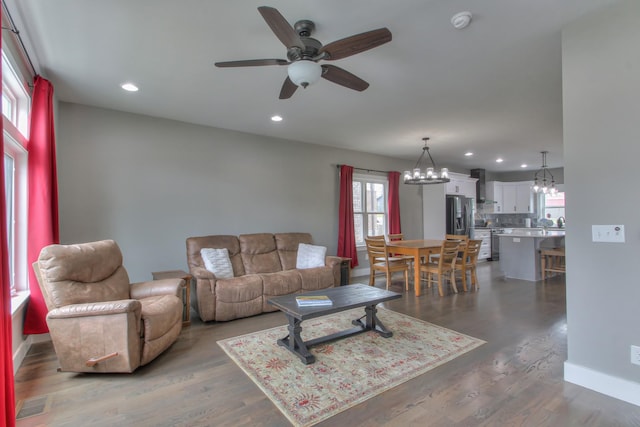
(304, 52)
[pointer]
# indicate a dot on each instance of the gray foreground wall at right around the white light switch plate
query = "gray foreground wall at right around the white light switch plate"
(601, 91)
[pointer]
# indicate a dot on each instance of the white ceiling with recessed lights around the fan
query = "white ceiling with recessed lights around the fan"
(494, 88)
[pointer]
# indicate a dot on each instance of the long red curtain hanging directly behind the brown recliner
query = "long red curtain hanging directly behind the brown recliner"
(43, 196)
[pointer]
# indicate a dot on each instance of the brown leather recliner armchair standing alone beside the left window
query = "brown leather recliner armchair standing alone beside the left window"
(98, 321)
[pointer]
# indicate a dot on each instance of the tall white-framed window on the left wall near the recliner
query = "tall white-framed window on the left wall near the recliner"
(15, 111)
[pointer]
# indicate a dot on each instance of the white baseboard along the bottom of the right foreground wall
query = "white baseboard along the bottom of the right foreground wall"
(618, 388)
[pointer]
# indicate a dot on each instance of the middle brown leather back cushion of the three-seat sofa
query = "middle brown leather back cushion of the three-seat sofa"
(259, 254)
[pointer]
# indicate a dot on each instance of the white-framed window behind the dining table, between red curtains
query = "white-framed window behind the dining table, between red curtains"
(369, 206)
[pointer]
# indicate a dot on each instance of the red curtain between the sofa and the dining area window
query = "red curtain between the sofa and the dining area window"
(346, 228)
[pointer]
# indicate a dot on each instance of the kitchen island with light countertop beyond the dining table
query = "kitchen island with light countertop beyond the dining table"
(520, 251)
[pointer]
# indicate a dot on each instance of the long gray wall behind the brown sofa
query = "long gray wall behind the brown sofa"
(150, 183)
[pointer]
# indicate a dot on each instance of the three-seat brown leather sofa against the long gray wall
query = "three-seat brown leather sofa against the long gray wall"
(264, 266)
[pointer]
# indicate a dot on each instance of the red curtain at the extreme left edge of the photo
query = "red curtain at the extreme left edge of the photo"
(7, 397)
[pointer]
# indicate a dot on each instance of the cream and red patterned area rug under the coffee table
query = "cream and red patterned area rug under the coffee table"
(347, 371)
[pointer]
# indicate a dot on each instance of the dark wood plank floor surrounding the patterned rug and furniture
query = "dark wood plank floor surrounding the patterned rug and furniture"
(516, 379)
